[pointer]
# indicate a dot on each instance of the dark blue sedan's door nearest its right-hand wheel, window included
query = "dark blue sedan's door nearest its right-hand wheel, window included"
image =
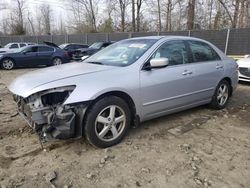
(45, 55)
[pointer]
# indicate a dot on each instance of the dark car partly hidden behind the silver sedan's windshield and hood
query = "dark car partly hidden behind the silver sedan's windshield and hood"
(95, 47)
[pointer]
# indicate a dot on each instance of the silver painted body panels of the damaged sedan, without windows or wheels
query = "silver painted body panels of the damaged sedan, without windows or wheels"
(155, 93)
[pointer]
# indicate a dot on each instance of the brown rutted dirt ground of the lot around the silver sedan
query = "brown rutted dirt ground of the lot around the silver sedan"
(195, 148)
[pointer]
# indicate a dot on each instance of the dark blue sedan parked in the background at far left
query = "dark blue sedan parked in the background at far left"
(32, 56)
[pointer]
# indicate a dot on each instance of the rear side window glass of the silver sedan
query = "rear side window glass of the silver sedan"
(202, 52)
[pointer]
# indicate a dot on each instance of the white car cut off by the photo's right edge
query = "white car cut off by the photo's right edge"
(244, 68)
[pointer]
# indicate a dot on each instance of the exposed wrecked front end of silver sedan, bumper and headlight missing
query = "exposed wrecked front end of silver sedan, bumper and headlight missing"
(49, 117)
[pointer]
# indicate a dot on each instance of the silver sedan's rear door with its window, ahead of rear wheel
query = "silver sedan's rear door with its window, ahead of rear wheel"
(208, 69)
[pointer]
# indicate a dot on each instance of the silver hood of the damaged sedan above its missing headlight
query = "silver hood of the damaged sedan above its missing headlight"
(27, 82)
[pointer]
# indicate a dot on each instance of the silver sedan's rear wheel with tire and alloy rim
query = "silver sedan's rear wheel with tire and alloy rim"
(221, 95)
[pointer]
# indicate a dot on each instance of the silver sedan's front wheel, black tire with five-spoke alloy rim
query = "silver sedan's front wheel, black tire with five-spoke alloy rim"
(91, 124)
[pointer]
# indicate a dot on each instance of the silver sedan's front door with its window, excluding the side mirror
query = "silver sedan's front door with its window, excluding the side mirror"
(166, 89)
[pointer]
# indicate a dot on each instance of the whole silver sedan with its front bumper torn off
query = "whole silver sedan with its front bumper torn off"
(129, 82)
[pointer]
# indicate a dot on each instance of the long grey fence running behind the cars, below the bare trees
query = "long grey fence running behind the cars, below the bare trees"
(230, 41)
